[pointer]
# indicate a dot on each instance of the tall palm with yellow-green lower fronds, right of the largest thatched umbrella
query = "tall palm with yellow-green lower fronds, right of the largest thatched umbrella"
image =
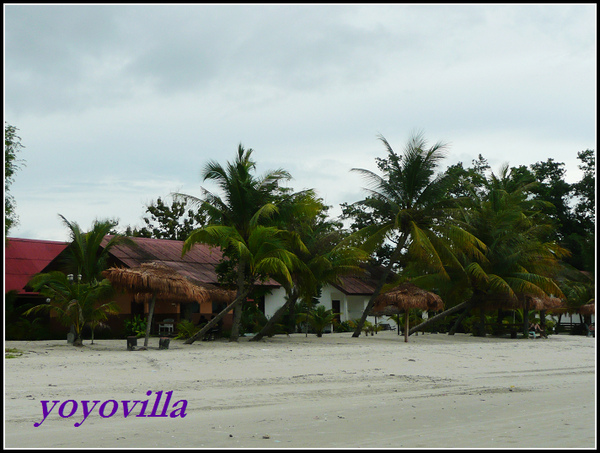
(237, 224)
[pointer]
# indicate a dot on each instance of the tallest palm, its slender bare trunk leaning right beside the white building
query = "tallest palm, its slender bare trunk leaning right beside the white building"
(414, 204)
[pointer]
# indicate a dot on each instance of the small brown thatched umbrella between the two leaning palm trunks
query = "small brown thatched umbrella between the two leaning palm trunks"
(403, 298)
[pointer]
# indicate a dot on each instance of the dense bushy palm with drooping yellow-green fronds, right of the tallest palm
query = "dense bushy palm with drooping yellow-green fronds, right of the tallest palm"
(517, 259)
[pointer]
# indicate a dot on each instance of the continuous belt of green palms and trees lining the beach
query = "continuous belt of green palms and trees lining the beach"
(482, 240)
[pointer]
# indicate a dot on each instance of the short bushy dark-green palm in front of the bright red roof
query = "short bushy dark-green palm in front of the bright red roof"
(74, 302)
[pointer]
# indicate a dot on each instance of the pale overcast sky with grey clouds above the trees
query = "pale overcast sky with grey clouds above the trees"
(118, 105)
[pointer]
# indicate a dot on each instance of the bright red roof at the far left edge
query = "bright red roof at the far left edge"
(23, 258)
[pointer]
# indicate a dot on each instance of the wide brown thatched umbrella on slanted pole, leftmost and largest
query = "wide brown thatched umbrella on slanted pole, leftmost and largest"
(156, 279)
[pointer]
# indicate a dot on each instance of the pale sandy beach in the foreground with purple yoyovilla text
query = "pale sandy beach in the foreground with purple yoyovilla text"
(436, 391)
